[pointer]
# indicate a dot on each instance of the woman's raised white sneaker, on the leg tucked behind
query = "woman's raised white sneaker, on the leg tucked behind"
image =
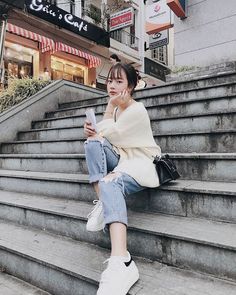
(95, 218)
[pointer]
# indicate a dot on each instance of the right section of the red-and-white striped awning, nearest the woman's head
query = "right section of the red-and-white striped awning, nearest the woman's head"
(93, 61)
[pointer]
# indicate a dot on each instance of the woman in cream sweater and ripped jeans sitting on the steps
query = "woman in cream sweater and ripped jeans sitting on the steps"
(120, 162)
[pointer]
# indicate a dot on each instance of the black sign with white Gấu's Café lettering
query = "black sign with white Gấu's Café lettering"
(63, 19)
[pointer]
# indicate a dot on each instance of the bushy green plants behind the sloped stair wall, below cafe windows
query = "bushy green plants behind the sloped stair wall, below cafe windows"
(18, 90)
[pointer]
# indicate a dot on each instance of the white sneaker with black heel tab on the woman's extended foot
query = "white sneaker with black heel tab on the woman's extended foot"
(119, 277)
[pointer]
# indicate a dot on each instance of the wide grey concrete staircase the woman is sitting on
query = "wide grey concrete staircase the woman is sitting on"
(183, 234)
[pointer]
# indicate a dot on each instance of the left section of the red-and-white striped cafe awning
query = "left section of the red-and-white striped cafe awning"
(46, 43)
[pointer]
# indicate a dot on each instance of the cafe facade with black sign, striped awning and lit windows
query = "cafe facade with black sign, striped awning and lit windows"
(47, 42)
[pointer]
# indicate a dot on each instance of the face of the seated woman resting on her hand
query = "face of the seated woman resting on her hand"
(117, 84)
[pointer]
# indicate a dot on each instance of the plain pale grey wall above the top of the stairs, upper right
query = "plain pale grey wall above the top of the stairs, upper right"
(207, 36)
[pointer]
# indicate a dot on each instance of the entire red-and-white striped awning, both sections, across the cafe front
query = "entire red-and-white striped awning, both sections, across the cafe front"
(48, 44)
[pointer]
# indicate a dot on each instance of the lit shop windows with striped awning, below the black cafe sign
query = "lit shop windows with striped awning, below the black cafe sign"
(28, 54)
